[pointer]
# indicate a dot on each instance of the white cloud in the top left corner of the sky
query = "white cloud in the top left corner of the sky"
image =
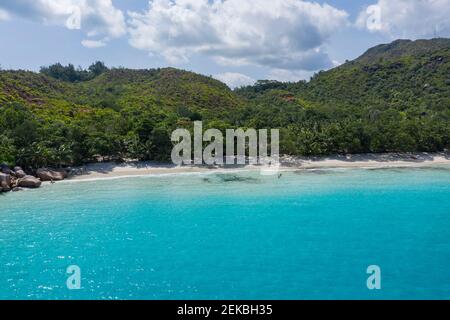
(96, 17)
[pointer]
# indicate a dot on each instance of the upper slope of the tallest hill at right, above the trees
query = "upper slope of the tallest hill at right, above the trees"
(402, 75)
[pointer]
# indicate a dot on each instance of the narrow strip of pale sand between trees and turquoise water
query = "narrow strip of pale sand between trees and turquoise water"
(112, 170)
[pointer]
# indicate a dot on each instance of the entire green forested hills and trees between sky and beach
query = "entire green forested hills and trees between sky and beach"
(395, 97)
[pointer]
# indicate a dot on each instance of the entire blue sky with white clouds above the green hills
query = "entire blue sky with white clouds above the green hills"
(236, 41)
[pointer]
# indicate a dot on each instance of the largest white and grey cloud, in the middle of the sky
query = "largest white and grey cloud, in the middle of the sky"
(282, 34)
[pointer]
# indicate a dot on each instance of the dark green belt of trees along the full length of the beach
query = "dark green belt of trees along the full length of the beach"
(144, 133)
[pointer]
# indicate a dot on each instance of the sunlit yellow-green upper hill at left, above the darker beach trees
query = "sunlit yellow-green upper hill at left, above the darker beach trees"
(116, 89)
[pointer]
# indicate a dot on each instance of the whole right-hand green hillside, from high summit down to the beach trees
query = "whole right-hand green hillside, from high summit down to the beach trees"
(395, 97)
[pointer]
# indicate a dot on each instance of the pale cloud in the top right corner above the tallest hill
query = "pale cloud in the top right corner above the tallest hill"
(408, 18)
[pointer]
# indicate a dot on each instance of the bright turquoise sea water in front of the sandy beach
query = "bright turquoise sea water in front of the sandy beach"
(308, 235)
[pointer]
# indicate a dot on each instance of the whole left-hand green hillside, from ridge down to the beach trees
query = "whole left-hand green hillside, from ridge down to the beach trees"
(119, 113)
